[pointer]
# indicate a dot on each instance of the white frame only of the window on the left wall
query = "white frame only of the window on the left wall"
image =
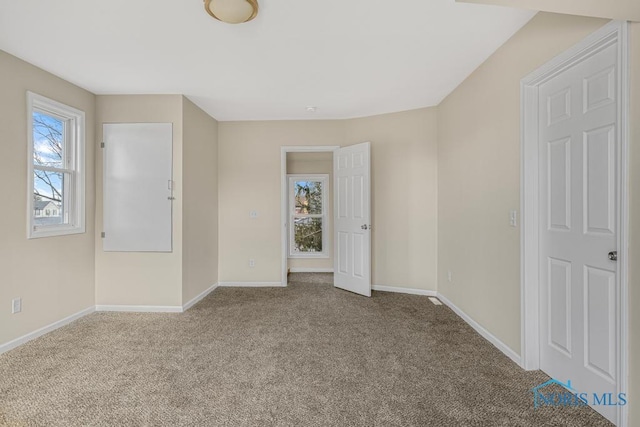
(74, 165)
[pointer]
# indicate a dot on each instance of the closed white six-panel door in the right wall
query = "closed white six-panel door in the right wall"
(578, 143)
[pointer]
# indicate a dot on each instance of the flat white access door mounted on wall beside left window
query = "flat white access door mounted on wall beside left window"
(137, 187)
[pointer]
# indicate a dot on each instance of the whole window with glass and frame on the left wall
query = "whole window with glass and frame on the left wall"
(56, 168)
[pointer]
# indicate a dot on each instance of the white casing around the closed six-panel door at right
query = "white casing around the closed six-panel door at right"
(615, 32)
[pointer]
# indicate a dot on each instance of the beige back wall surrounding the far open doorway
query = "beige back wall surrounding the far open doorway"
(404, 184)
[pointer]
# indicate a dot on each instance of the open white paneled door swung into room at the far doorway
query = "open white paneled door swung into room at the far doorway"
(352, 218)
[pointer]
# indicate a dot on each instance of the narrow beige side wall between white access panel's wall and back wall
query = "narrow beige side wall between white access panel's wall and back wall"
(200, 204)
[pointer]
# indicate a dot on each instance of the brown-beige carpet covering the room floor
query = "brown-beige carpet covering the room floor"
(306, 355)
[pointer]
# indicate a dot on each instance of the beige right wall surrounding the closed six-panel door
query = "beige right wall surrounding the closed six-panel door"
(479, 182)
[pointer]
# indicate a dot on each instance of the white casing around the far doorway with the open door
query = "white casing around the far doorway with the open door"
(284, 196)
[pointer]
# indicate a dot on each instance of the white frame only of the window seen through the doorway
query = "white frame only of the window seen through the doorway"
(324, 179)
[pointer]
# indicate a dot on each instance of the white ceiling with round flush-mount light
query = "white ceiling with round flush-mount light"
(349, 58)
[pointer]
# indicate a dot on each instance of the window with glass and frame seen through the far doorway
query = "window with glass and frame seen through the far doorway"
(308, 229)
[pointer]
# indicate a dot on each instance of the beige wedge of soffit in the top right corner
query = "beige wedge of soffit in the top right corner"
(626, 10)
